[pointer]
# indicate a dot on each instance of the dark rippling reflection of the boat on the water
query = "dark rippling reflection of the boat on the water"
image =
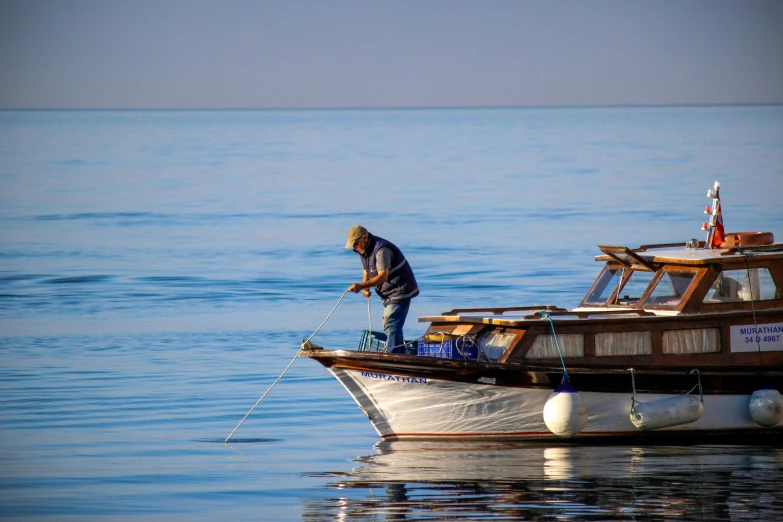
(471, 480)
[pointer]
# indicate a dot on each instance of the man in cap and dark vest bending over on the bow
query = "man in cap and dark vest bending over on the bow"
(385, 268)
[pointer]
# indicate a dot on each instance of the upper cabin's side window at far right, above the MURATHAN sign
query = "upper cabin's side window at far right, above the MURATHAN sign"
(734, 286)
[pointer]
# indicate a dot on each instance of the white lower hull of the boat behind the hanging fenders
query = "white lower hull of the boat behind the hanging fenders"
(401, 407)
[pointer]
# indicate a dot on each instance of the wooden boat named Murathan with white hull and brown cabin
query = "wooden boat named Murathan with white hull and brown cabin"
(670, 339)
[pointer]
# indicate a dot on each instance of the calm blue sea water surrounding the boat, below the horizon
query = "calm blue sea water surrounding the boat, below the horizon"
(159, 269)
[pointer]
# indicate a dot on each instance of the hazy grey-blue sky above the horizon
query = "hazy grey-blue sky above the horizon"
(373, 53)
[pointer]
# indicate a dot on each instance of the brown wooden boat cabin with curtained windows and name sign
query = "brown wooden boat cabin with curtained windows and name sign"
(672, 305)
